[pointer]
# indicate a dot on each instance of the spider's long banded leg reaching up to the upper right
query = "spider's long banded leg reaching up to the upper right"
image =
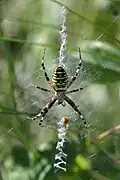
(77, 71)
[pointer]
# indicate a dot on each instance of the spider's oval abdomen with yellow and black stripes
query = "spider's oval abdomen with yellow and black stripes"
(60, 77)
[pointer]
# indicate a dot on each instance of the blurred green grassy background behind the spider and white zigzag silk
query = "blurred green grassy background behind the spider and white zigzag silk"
(27, 27)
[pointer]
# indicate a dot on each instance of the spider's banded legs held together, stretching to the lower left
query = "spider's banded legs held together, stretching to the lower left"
(44, 111)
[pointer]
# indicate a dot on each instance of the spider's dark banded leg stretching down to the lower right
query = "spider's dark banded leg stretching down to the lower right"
(73, 105)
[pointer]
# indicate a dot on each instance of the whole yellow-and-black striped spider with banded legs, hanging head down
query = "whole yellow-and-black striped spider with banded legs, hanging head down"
(60, 85)
